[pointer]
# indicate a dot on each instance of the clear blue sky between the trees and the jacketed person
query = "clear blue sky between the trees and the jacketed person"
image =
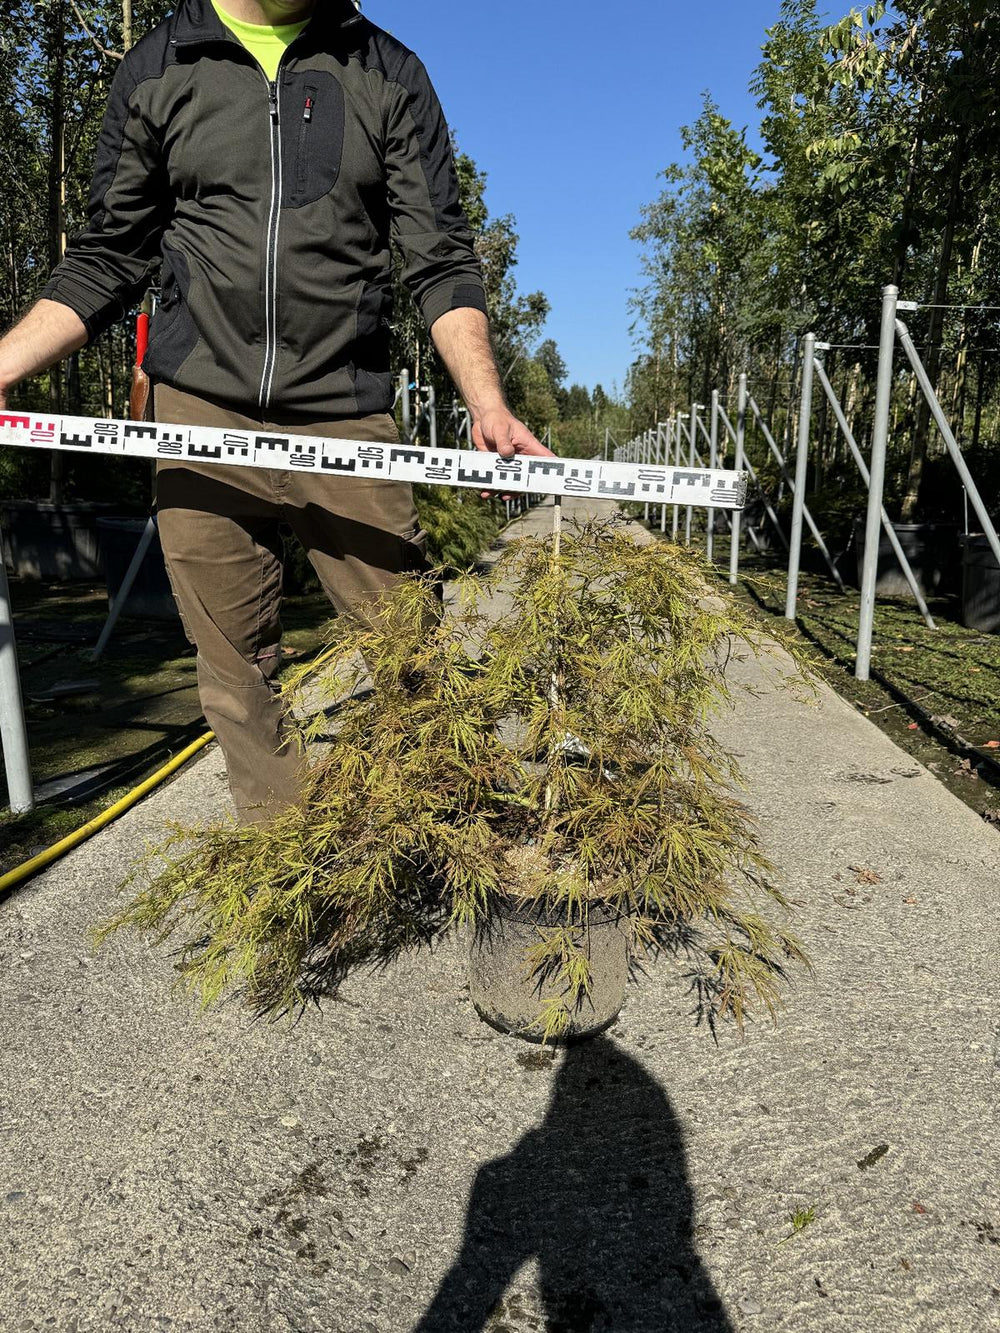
(573, 107)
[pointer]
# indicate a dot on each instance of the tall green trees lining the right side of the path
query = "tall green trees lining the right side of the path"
(879, 165)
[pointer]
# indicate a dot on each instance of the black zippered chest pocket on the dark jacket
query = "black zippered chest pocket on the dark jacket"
(313, 146)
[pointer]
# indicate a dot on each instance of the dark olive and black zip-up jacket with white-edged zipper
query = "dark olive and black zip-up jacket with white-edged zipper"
(273, 207)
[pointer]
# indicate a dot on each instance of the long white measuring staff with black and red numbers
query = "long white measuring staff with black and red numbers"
(709, 489)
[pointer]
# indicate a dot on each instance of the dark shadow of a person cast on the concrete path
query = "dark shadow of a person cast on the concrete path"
(599, 1196)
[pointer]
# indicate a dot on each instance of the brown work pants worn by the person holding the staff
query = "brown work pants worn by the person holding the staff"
(219, 527)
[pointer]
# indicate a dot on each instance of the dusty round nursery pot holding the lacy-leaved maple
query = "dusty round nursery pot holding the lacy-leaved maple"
(510, 999)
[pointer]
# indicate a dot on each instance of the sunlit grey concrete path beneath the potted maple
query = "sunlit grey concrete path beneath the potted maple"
(391, 1166)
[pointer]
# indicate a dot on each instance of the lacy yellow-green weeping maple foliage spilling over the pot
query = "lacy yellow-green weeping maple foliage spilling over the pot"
(549, 742)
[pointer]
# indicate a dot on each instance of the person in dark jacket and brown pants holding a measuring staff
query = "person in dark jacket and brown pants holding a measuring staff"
(265, 157)
